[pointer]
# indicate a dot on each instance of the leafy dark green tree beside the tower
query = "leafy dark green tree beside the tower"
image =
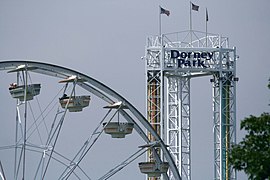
(252, 154)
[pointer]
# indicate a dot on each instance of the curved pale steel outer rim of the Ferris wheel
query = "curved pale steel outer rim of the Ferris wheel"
(105, 93)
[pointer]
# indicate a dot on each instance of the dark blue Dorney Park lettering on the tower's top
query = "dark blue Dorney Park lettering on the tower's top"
(191, 59)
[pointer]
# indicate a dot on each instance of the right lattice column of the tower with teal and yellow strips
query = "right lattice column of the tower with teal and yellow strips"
(224, 117)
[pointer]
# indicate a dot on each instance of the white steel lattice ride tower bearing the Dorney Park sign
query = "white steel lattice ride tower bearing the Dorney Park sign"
(172, 60)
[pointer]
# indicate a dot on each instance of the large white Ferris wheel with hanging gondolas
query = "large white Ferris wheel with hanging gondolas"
(58, 123)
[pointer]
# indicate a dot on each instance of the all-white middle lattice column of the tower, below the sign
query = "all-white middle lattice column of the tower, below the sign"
(178, 123)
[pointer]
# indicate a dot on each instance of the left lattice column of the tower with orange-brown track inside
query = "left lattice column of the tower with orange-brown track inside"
(155, 91)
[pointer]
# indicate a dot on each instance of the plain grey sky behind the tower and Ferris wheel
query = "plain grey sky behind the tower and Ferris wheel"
(105, 39)
